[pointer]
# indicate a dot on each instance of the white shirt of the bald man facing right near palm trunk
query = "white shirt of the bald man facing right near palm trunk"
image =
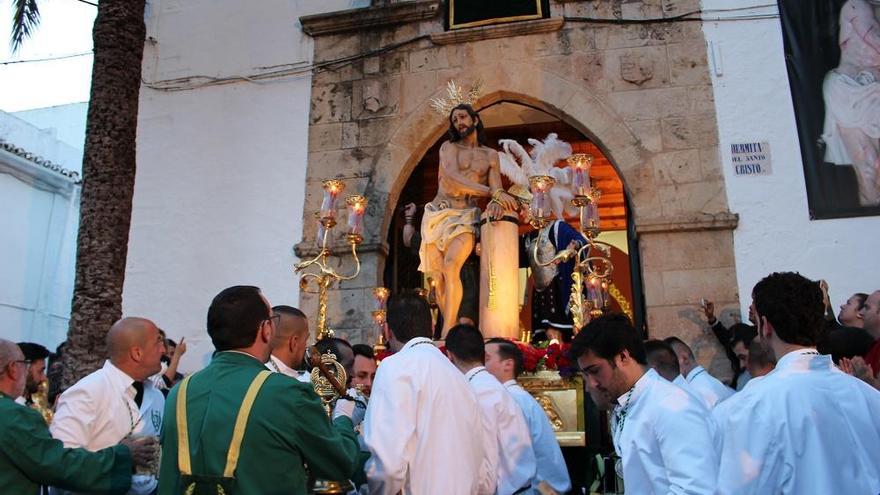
(99, 411)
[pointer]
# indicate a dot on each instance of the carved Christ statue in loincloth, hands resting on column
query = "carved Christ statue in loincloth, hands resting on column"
(468, 171)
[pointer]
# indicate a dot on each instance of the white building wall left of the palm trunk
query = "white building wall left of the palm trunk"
(37, 235)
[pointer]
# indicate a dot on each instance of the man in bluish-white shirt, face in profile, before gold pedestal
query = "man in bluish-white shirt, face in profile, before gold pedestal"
(505, 361)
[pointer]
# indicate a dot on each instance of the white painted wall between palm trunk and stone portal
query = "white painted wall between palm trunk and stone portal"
(221, 170)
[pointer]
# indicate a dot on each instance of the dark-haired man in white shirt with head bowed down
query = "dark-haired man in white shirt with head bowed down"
(663, 435)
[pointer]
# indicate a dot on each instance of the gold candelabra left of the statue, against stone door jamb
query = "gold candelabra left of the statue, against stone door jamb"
(320, 281)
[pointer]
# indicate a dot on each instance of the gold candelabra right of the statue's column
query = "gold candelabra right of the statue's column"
(591, 278)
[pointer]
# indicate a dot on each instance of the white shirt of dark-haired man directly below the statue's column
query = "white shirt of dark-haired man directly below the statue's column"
(516, 459)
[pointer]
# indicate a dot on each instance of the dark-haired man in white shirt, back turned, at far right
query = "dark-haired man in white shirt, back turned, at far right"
(805, 427)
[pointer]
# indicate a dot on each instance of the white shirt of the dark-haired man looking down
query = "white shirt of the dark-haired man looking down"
(665, 438)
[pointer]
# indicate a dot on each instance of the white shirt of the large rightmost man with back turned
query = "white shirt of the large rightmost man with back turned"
(806, 427)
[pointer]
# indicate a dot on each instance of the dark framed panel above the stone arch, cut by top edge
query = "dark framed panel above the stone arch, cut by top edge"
(474, 13)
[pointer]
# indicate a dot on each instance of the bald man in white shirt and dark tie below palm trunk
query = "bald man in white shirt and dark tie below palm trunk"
(117, 401)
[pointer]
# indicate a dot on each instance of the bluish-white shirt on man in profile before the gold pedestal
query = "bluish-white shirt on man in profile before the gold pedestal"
(550, 464)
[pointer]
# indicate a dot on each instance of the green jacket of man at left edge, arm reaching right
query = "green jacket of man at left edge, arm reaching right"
(30, 457)
